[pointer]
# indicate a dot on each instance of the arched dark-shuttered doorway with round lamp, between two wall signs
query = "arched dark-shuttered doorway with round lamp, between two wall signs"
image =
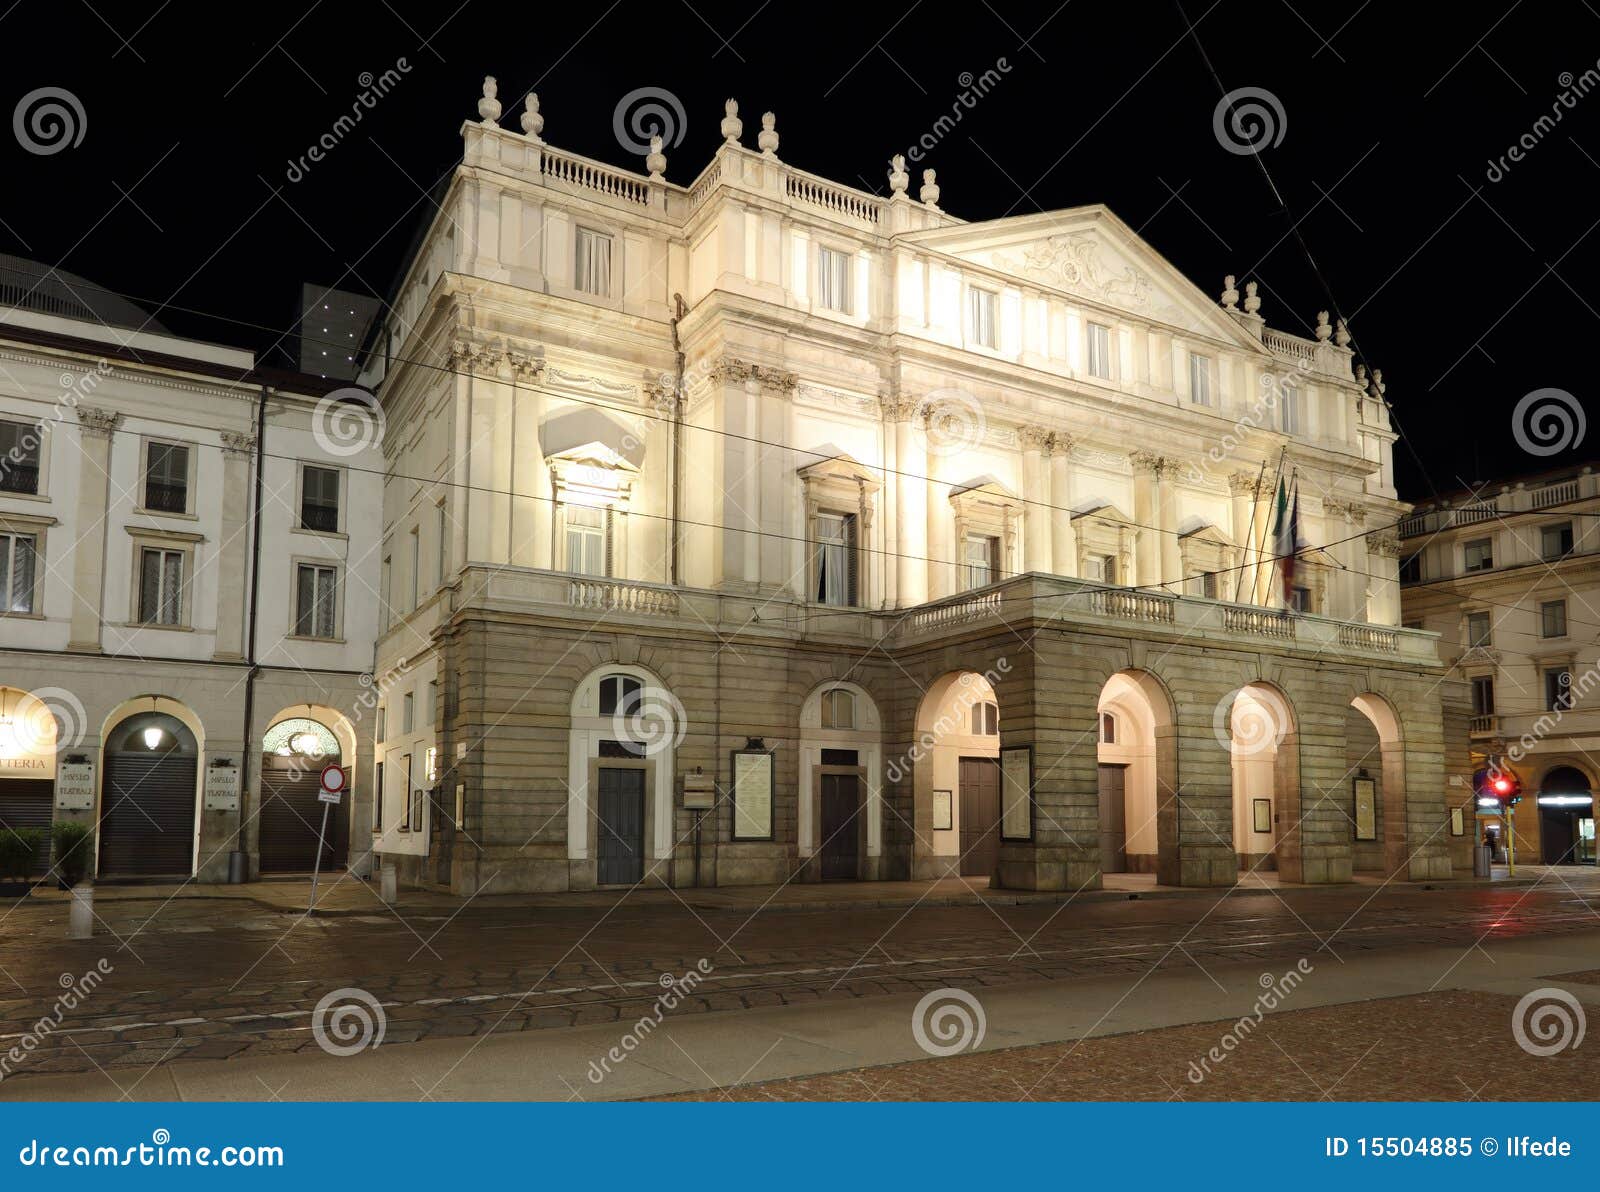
(148, 798)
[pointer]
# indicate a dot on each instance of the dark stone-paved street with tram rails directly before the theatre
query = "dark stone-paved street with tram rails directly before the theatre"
(212, 978)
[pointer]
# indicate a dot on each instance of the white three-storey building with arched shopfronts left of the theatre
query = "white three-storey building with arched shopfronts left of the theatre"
(166, 674)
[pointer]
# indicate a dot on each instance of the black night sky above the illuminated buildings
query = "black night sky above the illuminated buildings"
(1468, 292)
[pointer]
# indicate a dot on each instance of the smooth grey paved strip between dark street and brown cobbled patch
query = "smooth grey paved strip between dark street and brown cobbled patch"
(708, 1052)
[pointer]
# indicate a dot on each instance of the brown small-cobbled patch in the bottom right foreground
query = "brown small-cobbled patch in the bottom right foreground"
(1406, 1049)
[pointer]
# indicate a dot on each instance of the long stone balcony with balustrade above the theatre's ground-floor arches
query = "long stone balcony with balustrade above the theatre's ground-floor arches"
(1030, 599)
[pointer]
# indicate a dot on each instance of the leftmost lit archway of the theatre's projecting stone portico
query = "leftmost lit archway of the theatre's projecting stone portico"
(956, 777)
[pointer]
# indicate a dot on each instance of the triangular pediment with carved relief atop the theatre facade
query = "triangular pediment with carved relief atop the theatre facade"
(1089, 254)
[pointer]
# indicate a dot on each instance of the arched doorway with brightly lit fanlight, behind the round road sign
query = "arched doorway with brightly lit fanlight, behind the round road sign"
(294, 754)
